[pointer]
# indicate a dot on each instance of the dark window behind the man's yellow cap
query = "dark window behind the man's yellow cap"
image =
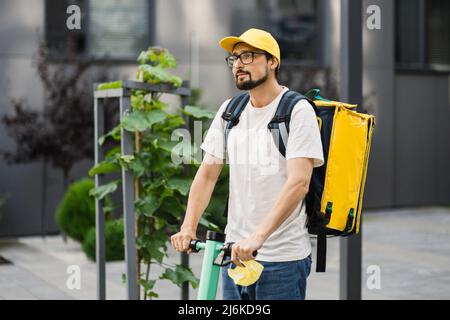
(294, 23)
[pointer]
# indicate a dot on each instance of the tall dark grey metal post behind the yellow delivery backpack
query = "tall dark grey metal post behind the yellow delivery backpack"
(351, 90)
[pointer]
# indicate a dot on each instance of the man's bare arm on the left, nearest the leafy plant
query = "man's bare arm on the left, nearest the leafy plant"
(199, 196)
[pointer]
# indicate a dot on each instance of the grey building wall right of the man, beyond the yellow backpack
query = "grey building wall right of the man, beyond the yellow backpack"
(410, 154)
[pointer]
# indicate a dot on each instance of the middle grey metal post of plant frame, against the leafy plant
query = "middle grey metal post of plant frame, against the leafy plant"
(128, 207)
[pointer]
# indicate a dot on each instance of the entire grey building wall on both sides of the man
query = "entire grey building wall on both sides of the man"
(410, 154)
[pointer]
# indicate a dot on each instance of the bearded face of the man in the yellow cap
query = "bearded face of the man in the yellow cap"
(249, 76)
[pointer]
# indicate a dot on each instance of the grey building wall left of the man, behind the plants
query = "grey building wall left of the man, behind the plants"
(190, 30)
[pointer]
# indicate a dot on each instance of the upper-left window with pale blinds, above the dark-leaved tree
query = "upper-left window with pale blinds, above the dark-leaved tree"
(119, 29)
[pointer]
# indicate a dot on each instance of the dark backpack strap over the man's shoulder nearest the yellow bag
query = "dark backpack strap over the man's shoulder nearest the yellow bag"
(279, 125)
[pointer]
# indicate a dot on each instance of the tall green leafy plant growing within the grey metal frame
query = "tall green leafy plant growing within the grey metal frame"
(161, 185)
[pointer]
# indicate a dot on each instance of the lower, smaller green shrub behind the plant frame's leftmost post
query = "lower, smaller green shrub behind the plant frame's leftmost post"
(114, 248)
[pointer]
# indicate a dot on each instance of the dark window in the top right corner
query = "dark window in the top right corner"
(422, 33)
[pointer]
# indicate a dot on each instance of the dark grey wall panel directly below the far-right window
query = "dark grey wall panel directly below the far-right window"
(422, 131)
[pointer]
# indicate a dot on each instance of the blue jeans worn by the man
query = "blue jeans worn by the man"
(278, 281)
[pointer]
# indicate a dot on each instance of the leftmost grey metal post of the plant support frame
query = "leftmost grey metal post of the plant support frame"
(99, 216)
